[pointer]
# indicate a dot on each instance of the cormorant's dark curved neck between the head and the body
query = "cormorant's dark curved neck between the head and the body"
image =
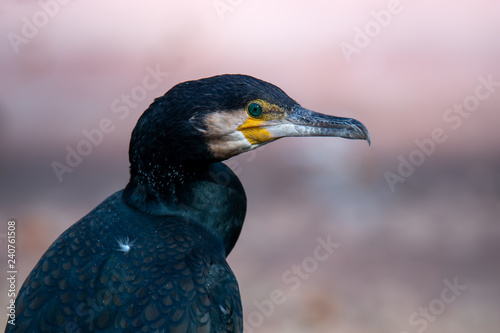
(210, 195)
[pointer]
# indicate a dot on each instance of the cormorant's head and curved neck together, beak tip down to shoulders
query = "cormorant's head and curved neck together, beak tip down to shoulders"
(180, 137)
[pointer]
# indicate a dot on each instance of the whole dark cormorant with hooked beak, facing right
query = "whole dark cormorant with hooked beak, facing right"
(152, 257)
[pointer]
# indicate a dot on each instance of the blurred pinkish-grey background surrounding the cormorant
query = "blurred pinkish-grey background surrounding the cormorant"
(413, 214)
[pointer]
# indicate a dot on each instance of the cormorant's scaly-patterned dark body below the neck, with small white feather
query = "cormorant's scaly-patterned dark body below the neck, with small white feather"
(117, 270)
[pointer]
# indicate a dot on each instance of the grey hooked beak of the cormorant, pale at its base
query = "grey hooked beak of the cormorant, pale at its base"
(304, 122)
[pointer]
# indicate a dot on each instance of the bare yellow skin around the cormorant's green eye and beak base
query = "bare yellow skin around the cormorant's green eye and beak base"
(254, 128)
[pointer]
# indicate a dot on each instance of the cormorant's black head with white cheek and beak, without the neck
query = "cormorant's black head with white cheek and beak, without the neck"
(215, 118)
